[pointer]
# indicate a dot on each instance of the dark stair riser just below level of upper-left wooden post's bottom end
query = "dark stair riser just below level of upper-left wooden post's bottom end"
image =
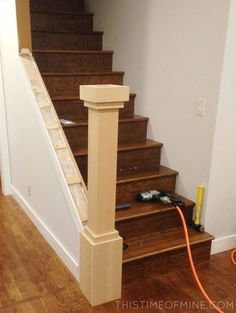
(71, 63)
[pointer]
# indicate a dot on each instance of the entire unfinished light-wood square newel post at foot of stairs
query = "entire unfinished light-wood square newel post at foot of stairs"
(100, 243)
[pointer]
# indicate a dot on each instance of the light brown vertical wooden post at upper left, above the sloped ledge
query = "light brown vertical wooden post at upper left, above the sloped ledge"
(23, 24)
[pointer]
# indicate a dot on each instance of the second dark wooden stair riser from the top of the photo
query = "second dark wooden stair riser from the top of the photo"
(59, 22)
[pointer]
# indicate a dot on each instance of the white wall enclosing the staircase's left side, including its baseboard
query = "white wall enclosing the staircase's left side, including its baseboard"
(32, 160)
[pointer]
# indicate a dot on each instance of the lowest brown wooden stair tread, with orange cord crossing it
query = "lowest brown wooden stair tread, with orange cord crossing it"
(161, 242)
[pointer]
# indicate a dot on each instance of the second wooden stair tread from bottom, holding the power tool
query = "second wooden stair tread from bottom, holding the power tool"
(141, 209)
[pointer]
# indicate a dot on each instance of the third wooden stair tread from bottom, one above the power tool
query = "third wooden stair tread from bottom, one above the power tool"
(163, 171)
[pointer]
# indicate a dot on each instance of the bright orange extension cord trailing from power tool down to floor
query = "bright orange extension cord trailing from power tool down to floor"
(233, 255)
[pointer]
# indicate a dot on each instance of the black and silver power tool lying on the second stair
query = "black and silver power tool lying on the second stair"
(160, 196)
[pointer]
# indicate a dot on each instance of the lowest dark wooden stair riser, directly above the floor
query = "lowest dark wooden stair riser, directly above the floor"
(165, 262)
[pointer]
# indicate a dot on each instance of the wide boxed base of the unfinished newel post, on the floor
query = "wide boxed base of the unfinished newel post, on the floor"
(100, 267)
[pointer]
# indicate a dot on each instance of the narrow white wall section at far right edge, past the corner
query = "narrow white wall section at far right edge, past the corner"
(221, 204)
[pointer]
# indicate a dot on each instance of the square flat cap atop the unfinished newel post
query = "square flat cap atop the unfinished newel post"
(104, 94)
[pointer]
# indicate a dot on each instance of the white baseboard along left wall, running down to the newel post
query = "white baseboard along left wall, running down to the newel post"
(60, 250)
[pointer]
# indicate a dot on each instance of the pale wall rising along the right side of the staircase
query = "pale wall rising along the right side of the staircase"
(172, 53)
